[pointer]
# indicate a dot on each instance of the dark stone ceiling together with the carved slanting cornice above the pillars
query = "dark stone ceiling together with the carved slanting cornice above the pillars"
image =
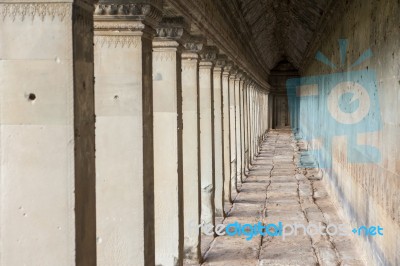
(264, 32)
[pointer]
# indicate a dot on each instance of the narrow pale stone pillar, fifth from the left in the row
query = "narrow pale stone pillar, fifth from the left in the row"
(208, 55)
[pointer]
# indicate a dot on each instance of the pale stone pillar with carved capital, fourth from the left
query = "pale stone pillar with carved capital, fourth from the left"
(190, 150)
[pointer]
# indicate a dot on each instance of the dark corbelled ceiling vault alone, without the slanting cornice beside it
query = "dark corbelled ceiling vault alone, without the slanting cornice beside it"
(282, 29)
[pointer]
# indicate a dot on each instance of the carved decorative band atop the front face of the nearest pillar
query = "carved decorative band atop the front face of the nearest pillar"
(33, 10)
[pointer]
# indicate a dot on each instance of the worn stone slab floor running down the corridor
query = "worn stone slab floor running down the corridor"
(275, 191)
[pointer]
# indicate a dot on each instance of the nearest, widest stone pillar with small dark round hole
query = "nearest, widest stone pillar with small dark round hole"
(47, 134)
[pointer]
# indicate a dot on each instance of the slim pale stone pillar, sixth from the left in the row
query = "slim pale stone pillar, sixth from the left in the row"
(218, 137)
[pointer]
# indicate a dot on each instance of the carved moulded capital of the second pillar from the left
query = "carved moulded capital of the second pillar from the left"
(124, 15)
